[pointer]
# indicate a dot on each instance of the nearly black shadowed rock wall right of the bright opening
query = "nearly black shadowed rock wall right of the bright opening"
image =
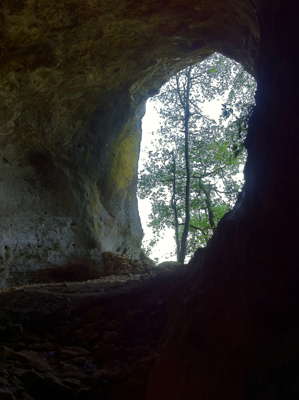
(234, 328)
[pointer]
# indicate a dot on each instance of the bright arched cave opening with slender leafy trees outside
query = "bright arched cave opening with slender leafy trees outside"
(192, 155)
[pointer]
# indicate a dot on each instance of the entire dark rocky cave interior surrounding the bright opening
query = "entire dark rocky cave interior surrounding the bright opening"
(74, 80)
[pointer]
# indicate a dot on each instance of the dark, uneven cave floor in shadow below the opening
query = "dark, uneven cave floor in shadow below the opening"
(84, 340)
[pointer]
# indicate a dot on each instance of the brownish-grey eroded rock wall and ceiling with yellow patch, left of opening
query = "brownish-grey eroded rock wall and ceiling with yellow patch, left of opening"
(73, 80)
